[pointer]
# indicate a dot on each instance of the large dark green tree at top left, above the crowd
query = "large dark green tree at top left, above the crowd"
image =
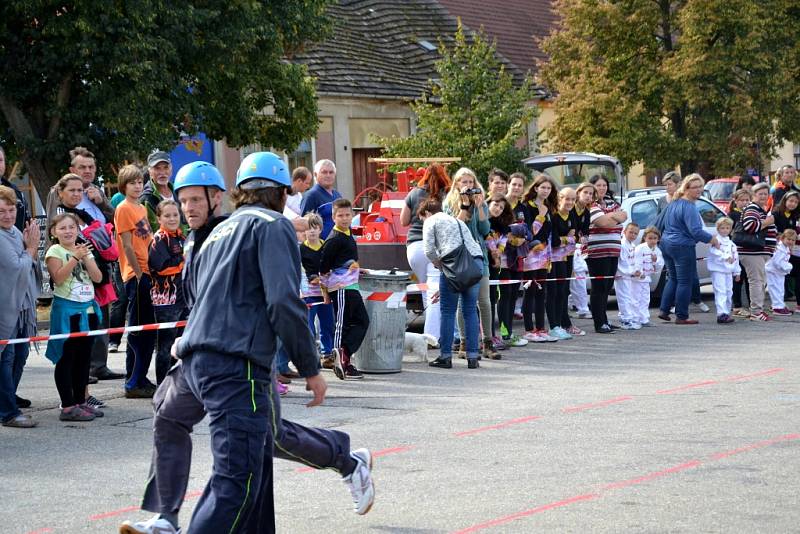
(125, 77)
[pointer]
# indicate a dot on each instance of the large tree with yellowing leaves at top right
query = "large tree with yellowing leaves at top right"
(711, 85)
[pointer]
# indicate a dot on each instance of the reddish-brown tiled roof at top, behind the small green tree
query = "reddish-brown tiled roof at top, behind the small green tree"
(514, 23)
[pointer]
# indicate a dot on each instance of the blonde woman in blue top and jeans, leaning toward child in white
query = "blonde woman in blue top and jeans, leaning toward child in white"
(683, 229)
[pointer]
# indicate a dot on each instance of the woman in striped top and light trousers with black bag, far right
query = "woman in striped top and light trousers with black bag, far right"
(757, 221)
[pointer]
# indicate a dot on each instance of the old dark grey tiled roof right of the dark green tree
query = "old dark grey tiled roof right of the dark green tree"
(375, 48)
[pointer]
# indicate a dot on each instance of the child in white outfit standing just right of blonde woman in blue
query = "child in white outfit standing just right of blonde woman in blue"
(723, 266)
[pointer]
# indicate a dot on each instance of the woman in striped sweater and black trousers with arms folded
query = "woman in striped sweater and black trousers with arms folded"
(606, 216)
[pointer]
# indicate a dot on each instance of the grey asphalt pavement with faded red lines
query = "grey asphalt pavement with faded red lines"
(667, 429)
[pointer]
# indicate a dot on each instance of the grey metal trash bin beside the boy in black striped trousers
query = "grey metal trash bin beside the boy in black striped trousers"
(382, 349)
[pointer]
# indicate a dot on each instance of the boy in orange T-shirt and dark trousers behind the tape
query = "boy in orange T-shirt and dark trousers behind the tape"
(133, 239)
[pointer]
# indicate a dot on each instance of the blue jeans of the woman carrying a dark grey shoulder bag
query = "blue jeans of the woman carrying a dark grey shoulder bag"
(469, 306)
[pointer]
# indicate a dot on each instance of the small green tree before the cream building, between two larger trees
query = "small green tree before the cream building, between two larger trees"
(473, 111)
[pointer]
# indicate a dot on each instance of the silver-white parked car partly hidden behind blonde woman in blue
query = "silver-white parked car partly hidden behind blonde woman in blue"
(641, 205)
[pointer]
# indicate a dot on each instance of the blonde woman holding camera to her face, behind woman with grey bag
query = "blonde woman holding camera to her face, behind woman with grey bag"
(467, 202)
